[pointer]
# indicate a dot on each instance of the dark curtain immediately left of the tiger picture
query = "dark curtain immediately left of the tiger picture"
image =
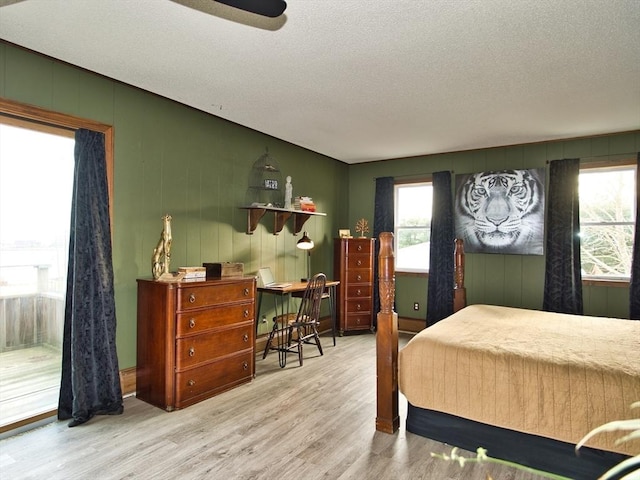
(441, 250)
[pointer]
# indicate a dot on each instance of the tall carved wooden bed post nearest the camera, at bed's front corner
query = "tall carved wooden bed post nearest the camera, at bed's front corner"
(387, 419)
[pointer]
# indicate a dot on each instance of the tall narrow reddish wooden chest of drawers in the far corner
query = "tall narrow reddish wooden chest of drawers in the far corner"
(353, 263)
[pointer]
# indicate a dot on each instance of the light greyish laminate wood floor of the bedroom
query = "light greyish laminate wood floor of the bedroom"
(310, 422)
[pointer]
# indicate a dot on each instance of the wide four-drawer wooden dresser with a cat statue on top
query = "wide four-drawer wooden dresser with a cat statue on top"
(195, 339)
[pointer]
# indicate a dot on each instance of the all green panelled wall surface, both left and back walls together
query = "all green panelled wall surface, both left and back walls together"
(170, 158)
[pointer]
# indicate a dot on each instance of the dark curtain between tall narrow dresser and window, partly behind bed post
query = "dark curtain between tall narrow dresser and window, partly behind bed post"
(382, 222)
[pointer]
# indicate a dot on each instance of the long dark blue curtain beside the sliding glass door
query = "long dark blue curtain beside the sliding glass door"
(90, 382)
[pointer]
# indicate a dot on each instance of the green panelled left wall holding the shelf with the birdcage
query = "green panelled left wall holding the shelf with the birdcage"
(170, 158)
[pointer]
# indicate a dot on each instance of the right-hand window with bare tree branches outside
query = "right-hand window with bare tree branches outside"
(607, 220)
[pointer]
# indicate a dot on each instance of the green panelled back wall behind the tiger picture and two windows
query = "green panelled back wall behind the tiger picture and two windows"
(512, 280)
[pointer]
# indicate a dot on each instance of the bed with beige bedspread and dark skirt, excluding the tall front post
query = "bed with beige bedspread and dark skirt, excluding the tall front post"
(525, 384)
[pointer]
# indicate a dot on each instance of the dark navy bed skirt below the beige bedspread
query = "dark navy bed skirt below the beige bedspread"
(534, 451)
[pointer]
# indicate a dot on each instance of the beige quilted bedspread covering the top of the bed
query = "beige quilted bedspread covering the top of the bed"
(549, 374)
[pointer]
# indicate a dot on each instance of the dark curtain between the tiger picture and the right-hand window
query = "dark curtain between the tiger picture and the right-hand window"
(563, 278)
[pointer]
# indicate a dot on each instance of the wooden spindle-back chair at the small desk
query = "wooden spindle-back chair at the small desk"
(291, 332)
